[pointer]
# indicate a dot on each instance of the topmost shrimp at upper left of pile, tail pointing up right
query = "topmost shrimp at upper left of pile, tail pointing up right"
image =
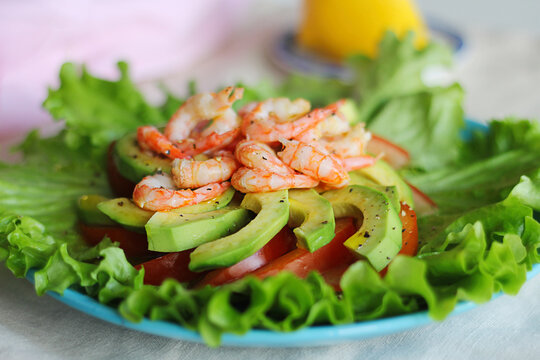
(198, 108)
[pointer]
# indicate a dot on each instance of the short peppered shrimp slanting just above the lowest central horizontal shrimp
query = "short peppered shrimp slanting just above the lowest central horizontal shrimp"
(257, 155)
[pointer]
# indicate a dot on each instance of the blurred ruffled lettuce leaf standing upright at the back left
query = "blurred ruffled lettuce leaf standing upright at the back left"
(98, 111)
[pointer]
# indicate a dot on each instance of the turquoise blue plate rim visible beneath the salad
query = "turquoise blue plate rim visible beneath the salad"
(311, 336)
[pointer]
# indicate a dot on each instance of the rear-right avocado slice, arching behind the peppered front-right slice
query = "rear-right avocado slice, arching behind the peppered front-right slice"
(383, 174)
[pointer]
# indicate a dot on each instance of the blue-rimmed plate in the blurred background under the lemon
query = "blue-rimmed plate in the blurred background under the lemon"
(289, 57)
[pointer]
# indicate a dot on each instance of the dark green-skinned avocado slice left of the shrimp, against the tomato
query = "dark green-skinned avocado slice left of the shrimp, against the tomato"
(134, 163)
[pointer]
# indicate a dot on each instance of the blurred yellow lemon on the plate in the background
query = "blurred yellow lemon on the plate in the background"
(338, 28)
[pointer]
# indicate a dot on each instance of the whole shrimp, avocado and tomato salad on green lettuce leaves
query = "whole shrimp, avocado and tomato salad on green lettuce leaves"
(472, 229)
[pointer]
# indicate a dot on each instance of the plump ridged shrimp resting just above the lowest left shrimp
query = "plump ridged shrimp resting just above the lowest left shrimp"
(188, 173)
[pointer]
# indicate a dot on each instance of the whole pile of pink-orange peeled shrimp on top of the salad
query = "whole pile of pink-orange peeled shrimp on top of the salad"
(266, 146)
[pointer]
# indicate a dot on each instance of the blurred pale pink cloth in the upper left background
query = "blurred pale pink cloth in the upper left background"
(155, 37)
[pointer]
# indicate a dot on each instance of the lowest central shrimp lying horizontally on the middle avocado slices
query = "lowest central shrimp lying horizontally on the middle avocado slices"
(248, 180)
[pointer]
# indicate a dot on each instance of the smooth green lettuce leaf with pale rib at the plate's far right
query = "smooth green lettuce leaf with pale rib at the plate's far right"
(487, 168)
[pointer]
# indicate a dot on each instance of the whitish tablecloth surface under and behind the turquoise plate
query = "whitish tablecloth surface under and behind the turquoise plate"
(500, 73)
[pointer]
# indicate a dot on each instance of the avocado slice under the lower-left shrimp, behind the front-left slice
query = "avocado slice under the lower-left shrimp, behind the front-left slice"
(126, 213)
